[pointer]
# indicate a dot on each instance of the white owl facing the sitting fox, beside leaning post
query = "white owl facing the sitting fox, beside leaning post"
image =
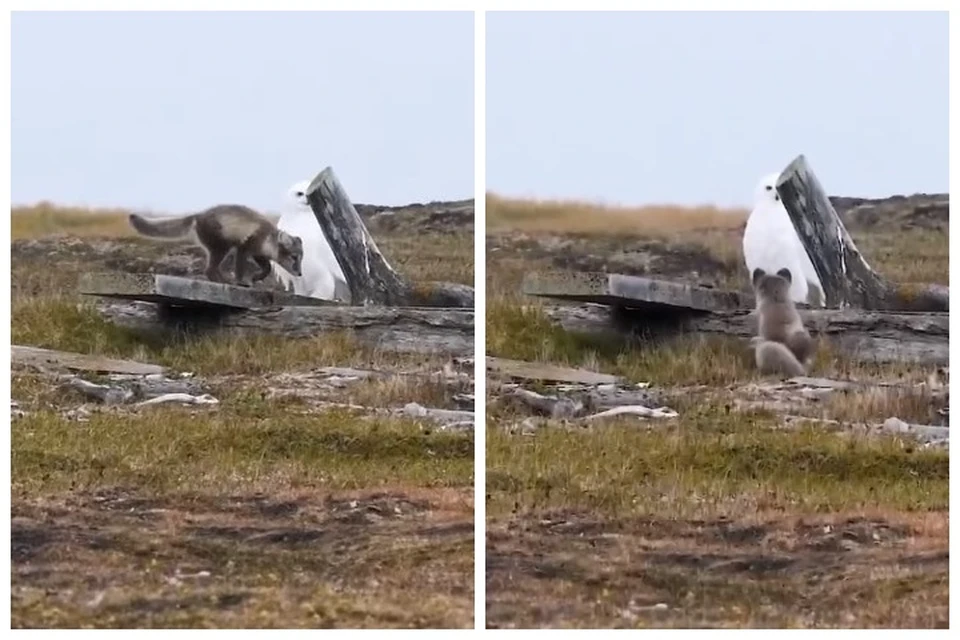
(770, 242)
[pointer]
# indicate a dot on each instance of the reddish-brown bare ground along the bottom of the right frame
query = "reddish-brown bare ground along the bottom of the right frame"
(573, 570)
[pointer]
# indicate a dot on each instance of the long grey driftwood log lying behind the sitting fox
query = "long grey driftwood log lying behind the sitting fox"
(864, 336)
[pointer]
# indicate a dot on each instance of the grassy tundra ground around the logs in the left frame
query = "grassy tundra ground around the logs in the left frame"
(263, 511)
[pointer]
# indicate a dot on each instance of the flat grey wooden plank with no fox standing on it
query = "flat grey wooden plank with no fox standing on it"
(614, 289)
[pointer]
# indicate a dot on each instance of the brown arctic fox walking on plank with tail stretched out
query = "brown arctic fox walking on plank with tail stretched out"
(230, 226)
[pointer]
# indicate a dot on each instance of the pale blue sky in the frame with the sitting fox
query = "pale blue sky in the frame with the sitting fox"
(694, 108)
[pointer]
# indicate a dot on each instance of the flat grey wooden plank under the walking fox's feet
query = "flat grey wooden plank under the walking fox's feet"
(187, 292)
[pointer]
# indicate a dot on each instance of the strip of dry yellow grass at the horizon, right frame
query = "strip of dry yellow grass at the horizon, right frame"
(570, 216)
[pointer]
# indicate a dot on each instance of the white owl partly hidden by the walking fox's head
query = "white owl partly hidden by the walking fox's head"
(322, 276)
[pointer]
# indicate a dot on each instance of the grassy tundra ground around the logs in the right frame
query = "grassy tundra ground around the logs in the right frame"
(717, 518)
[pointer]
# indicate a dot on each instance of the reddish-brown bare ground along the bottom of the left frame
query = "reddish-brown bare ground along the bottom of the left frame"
(116, 558)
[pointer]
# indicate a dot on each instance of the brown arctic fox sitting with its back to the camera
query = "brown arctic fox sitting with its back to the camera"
(784, 346)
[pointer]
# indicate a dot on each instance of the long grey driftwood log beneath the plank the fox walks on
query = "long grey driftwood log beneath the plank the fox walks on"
(401, 329)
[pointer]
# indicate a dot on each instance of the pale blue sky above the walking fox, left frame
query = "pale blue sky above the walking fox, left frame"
(176, 111)
